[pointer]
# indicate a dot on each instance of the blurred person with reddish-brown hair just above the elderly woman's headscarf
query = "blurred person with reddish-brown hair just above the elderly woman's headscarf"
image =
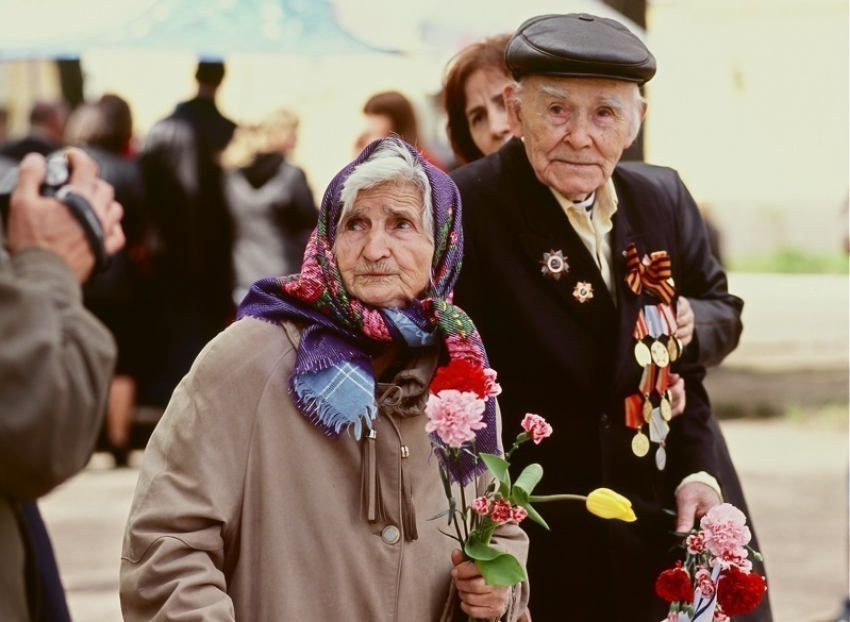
(391, 113)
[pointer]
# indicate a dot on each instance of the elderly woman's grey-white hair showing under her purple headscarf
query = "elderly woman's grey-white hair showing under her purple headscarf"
(391, 163)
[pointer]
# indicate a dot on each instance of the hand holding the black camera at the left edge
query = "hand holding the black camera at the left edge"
(42, 222)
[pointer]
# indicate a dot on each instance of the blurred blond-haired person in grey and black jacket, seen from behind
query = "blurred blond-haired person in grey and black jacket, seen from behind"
(270, 201)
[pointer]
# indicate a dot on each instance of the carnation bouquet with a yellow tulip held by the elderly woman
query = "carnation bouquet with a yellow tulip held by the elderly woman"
(455, 411)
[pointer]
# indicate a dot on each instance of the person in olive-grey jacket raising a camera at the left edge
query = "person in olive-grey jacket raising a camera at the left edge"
(56, 363)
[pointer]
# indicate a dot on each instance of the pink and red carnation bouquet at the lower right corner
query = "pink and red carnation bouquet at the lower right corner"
(716, 580)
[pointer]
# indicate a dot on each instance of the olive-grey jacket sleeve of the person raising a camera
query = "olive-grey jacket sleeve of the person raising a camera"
(56, 363)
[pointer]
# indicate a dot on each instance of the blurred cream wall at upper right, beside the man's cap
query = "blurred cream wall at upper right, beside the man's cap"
(750, 104)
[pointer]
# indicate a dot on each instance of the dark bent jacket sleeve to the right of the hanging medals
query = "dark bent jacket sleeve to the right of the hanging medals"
(717, 312)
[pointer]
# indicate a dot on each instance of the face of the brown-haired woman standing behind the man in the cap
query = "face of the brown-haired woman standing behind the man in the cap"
(485, 109)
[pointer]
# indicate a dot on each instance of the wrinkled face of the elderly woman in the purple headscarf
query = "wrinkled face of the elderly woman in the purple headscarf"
(382, 250)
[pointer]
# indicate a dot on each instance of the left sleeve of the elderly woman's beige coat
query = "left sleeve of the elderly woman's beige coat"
(187, 500)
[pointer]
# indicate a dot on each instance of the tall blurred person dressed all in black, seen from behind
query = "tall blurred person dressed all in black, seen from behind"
(193, 247)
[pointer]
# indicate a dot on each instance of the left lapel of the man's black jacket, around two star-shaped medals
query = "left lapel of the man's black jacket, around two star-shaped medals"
(544, 228)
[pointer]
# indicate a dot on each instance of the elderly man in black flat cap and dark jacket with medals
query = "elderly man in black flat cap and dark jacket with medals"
(571, 272)
